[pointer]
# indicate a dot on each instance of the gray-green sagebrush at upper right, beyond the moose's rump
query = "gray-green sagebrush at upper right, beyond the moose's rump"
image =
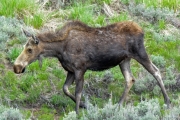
(162, 31)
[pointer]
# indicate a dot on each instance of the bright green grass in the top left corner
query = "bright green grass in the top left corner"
(25, 9)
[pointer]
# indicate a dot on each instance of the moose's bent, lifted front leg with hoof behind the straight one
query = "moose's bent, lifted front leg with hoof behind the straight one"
(69, 80)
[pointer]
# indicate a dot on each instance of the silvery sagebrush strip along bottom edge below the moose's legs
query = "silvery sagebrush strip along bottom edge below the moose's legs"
(145, 110)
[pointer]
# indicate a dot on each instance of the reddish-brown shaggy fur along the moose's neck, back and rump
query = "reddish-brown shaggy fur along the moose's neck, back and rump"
(127, 27)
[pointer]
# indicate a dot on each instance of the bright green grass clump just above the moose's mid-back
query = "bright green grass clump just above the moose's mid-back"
(93, 15)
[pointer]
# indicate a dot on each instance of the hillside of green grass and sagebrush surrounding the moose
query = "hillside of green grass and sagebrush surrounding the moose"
(38, 94)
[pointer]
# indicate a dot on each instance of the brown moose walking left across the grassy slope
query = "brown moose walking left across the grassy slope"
(79, 48)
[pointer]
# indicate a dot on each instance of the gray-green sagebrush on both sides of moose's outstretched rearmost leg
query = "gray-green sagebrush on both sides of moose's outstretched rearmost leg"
(148, 83)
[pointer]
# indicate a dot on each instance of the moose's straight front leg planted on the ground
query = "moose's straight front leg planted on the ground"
(79, 79)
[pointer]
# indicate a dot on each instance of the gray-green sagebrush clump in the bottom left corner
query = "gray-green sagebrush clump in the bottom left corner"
(10, 113)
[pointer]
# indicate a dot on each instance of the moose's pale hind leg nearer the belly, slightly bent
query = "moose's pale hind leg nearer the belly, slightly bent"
(125, 69)
